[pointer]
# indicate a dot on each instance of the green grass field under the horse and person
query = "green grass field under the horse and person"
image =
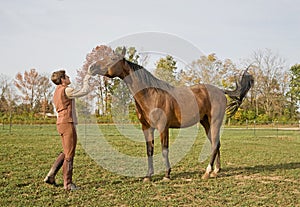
(261, 169)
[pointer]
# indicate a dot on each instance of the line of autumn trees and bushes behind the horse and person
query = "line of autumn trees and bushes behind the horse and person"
(275, 95)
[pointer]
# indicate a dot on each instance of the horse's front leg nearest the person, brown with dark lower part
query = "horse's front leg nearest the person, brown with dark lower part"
(149, 138)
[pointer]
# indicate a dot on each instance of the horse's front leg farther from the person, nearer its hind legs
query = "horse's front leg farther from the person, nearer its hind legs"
(164, 138)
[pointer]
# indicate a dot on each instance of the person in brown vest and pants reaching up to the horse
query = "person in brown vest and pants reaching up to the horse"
(64, 101)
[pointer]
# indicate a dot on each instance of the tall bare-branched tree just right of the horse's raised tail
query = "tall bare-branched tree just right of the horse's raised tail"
(271, 82)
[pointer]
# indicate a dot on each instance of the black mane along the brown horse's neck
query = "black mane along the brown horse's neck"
(147, 78)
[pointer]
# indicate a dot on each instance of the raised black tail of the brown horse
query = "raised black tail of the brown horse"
(237, 96)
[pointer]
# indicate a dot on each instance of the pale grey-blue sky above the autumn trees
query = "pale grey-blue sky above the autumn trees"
(52, 34)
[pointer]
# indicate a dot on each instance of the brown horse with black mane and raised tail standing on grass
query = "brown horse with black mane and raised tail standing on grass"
(160, 106)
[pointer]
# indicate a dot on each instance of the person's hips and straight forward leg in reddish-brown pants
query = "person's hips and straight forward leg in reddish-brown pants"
(69, 141)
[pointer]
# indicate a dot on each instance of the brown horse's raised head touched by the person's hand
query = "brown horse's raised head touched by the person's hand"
(108, 64)
